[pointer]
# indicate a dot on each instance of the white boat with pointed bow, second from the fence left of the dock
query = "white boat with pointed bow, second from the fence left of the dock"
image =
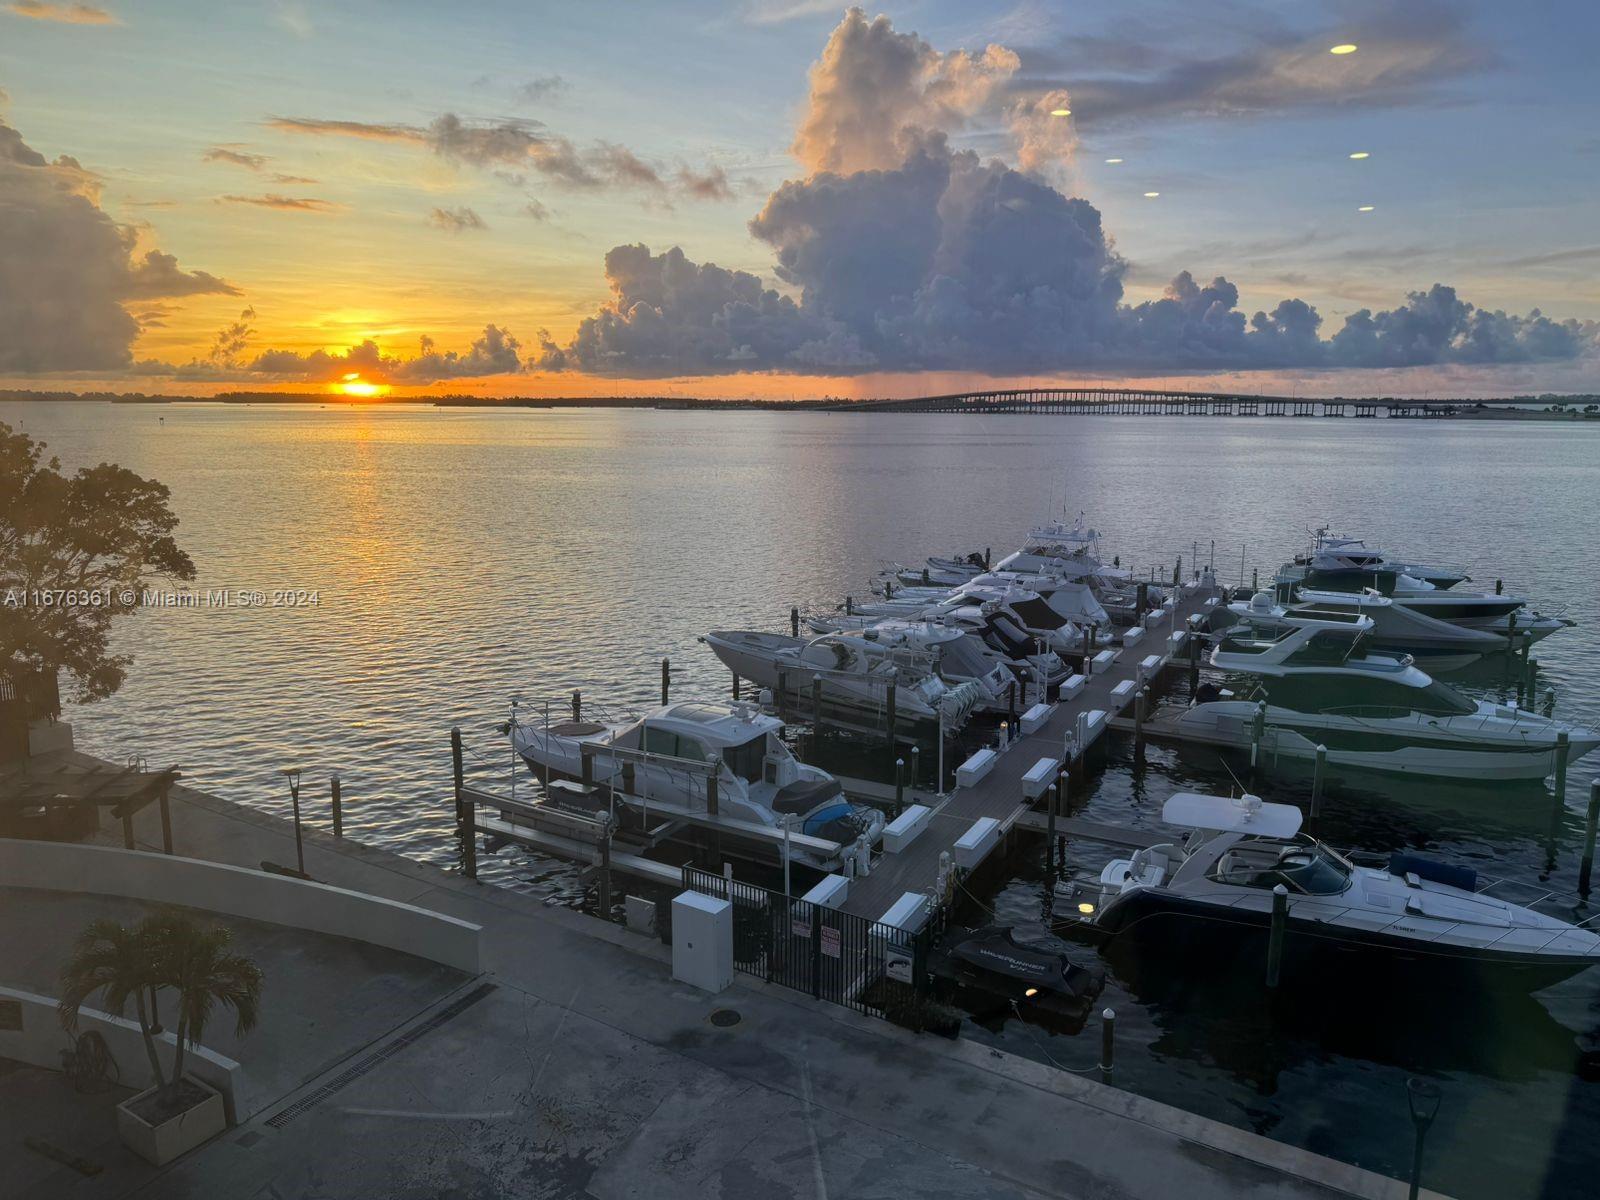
(855, 678)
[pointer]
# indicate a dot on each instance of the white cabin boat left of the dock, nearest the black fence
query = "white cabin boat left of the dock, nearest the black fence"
(663, 761)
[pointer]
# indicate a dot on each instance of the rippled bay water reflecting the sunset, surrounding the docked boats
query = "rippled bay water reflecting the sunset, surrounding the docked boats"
(466, 558)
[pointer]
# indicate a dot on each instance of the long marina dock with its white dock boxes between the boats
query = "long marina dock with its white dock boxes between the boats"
(974, 820)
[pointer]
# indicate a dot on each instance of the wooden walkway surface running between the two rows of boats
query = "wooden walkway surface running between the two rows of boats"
(999, 794)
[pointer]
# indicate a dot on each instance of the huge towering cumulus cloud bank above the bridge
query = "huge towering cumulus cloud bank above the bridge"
(902, 254)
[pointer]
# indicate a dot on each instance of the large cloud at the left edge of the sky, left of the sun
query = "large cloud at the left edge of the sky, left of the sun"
(66, 268)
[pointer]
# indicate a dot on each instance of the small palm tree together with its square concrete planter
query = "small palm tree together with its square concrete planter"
(166, 951)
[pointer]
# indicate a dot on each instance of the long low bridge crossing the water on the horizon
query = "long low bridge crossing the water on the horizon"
(1143, 402)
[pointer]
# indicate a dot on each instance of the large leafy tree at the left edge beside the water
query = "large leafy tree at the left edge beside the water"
(76, 553)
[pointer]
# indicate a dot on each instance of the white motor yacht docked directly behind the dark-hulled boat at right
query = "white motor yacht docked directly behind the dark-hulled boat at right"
(1370, 711)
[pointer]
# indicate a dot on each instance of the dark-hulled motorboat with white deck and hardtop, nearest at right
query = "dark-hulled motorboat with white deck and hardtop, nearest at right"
(1218, 882)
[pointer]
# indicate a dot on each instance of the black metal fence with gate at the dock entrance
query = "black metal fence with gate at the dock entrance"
(830, 954)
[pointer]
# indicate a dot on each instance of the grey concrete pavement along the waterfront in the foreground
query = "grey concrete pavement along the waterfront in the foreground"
(590, 1073)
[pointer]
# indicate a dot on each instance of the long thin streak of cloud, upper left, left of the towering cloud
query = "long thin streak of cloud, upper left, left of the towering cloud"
(521, 146)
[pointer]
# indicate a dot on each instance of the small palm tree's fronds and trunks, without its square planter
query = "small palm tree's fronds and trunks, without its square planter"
(164, 951)
